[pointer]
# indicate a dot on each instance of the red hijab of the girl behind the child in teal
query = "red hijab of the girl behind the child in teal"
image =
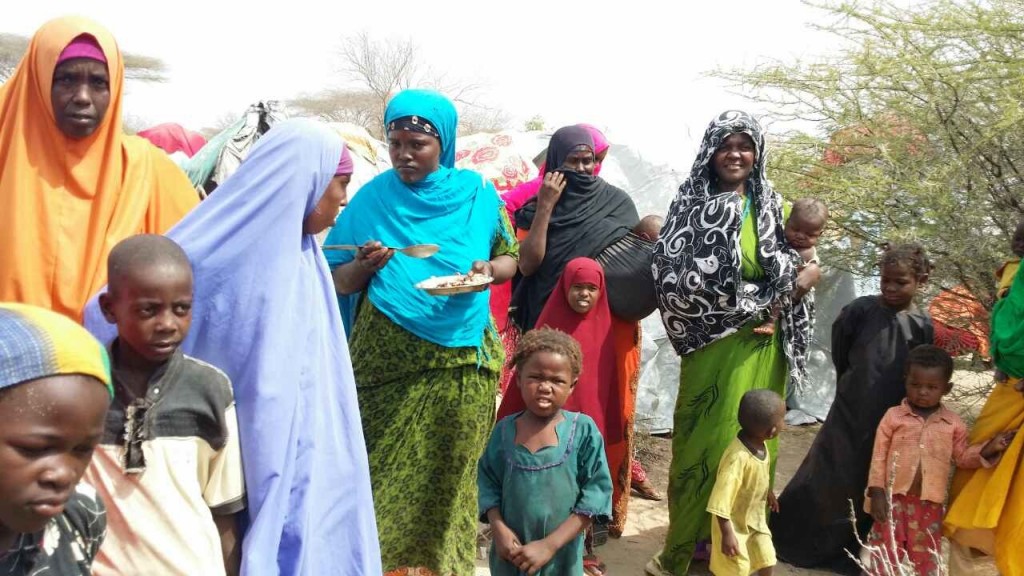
(596, 394)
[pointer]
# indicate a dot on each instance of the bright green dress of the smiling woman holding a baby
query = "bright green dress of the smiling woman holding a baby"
(711, 383)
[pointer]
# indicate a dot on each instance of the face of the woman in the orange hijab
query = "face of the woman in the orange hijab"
(80, 97)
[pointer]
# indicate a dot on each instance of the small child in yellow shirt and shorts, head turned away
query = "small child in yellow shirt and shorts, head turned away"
(741, 540)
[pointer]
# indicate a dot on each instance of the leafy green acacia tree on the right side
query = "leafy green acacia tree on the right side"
(915, 131)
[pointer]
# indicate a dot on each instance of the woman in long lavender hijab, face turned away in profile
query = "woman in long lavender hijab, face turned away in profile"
(266, 313)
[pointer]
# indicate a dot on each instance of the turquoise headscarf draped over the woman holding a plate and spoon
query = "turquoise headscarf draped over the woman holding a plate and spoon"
(456, 210)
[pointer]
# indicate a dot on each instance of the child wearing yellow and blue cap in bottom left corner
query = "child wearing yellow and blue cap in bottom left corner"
(55, 391)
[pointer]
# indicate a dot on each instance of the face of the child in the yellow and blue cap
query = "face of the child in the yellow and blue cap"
(49, 430)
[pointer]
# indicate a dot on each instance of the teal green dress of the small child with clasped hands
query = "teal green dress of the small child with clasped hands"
(537, 492)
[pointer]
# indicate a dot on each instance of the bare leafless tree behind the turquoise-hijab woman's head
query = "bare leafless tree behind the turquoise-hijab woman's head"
(377, 70)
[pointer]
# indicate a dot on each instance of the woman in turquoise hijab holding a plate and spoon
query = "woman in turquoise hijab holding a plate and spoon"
(426, 367)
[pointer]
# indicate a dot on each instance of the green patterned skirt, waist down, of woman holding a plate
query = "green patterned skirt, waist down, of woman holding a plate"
(424, 437)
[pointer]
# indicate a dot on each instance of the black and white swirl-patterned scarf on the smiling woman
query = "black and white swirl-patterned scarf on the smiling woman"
(702, 296)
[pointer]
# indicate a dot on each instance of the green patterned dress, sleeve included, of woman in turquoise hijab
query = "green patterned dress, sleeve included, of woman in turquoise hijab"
(426, 414)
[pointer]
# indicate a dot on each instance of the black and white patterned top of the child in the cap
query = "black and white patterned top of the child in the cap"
(68, 545)
